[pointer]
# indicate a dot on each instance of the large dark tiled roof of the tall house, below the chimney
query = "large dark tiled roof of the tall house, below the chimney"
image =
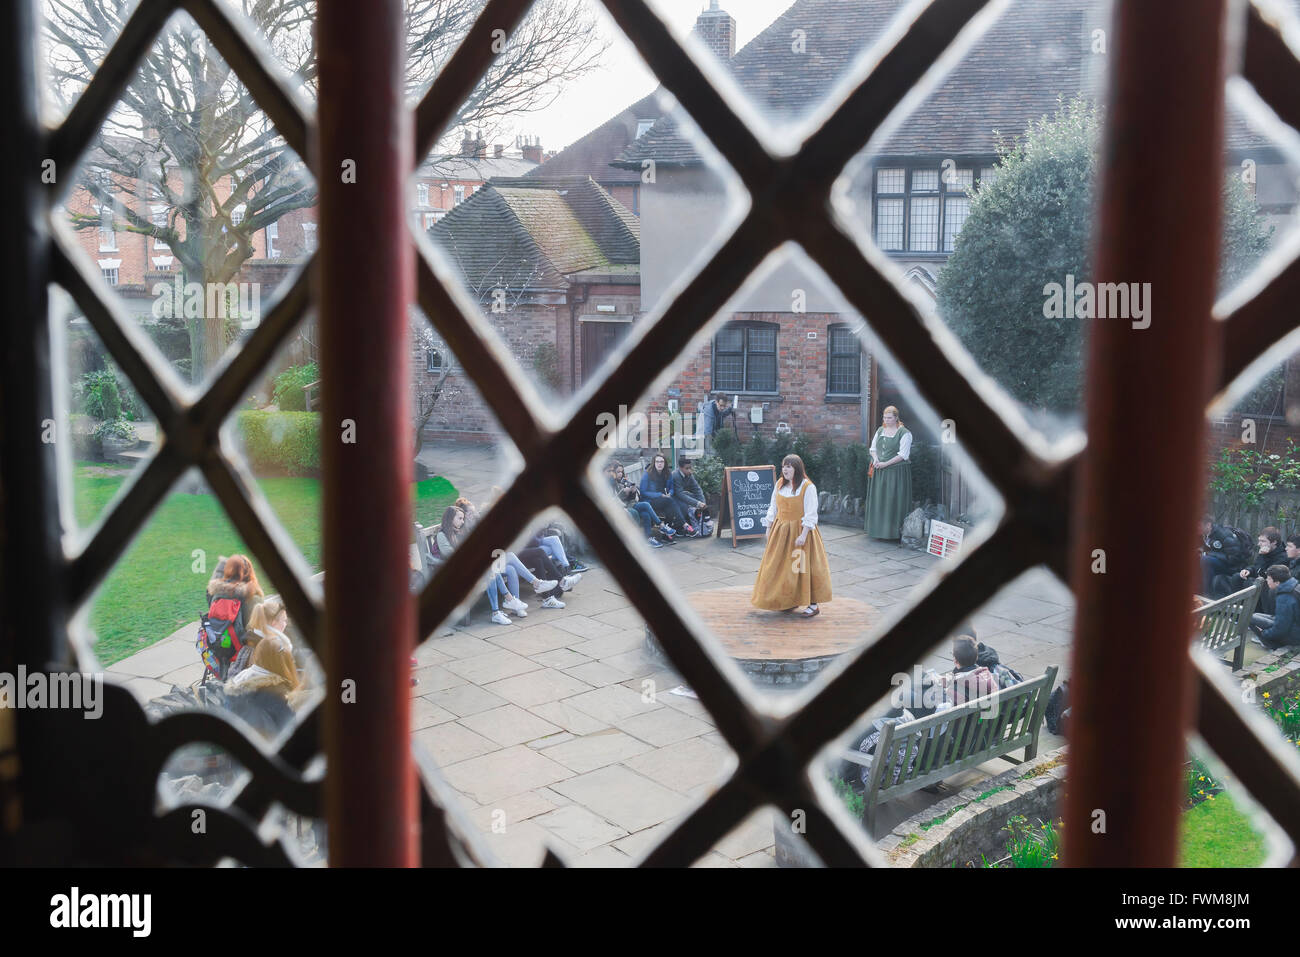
(1037, 54)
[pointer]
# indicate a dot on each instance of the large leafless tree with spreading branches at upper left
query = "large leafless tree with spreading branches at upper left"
(189, 138)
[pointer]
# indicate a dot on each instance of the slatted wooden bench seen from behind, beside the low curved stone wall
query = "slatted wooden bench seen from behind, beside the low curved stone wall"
(925, 752)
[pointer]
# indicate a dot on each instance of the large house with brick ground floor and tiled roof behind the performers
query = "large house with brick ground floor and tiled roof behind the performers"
(799, 369)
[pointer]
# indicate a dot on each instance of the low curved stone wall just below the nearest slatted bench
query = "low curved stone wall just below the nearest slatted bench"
(976, 826)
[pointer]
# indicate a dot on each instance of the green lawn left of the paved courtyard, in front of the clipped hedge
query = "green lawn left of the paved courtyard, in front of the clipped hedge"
(159, 583)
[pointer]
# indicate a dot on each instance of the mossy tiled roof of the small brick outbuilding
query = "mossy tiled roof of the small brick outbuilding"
(534, 233)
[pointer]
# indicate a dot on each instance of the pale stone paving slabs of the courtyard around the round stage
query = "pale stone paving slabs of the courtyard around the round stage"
(548, 733)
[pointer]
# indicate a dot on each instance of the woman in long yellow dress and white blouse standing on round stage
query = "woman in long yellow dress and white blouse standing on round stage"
(795, 571)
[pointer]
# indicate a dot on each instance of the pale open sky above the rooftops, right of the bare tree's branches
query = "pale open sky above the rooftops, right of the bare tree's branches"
(623, 79)
